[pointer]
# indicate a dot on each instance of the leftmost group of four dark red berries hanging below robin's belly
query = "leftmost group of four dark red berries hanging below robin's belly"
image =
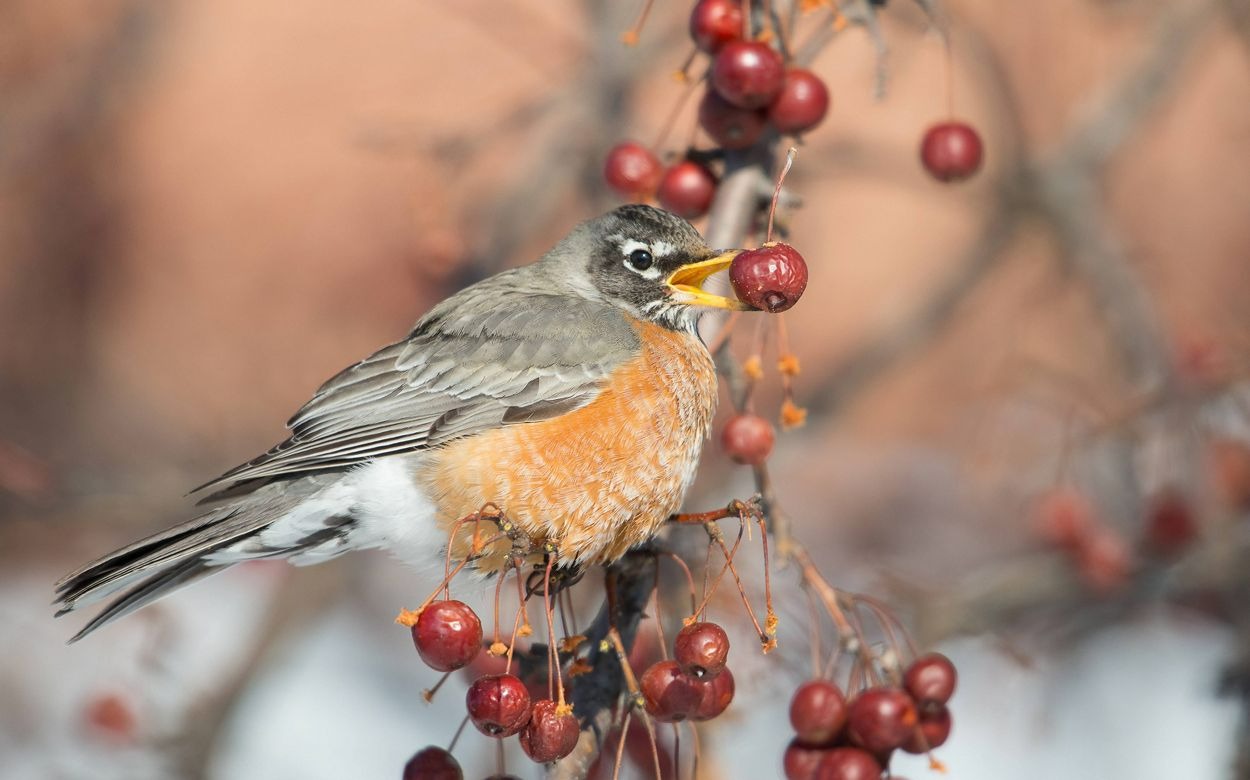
(448, 636)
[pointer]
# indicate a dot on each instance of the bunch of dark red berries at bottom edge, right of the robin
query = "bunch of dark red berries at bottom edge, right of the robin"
(852, 739)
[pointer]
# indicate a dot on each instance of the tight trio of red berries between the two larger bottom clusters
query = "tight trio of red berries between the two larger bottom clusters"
(696, 684)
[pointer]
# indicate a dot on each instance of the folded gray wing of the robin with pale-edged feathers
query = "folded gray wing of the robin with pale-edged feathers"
(479, 361)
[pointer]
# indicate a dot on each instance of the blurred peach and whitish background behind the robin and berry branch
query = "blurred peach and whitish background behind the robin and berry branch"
(209, 208)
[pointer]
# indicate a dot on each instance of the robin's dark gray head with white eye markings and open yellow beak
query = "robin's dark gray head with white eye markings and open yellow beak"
(646, 261)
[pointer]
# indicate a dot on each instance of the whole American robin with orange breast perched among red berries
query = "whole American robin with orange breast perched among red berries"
(574, 394)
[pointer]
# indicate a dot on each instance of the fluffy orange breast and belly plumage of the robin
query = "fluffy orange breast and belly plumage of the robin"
(601, 479)
